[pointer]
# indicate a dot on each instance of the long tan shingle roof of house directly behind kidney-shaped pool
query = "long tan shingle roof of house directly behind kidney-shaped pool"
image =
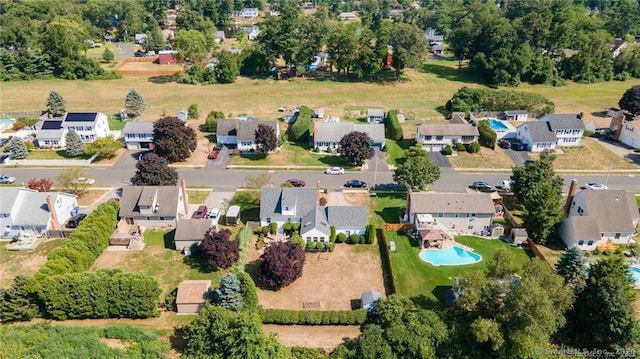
(431, 202)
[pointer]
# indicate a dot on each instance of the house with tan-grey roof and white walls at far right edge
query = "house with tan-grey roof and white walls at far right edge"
(599, 217)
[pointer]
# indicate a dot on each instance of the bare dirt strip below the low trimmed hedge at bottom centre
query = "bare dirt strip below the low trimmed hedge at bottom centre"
(313, 336)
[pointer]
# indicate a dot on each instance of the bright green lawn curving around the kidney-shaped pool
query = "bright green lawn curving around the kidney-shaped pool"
(416, 278)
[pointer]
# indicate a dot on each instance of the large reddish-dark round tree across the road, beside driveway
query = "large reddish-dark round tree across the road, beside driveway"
(173, 139)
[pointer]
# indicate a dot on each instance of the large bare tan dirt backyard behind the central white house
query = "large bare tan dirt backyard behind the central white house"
(335, 280)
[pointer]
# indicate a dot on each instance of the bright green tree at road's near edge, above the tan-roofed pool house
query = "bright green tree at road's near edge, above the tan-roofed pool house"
(416, 170)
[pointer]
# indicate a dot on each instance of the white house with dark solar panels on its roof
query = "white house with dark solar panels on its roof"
(89, 125)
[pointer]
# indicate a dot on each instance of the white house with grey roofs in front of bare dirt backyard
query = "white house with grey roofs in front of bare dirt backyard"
(300, 205)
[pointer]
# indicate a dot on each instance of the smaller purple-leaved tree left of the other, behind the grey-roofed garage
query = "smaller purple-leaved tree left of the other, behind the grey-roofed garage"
(219, 249)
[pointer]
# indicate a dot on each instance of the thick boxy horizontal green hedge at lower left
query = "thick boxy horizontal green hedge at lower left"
(107, 293)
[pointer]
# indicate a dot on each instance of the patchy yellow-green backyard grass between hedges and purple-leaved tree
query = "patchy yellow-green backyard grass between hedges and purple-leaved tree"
(159, 260)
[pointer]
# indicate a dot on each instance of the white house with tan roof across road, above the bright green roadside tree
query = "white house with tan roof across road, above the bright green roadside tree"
(435, 137)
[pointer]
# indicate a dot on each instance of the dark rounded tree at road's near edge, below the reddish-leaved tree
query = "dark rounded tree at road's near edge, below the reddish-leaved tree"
(153, 170)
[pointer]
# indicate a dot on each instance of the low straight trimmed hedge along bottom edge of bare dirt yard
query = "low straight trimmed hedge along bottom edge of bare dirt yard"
(313, 317)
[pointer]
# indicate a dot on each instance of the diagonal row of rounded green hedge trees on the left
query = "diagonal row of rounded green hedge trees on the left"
(85, 244)
